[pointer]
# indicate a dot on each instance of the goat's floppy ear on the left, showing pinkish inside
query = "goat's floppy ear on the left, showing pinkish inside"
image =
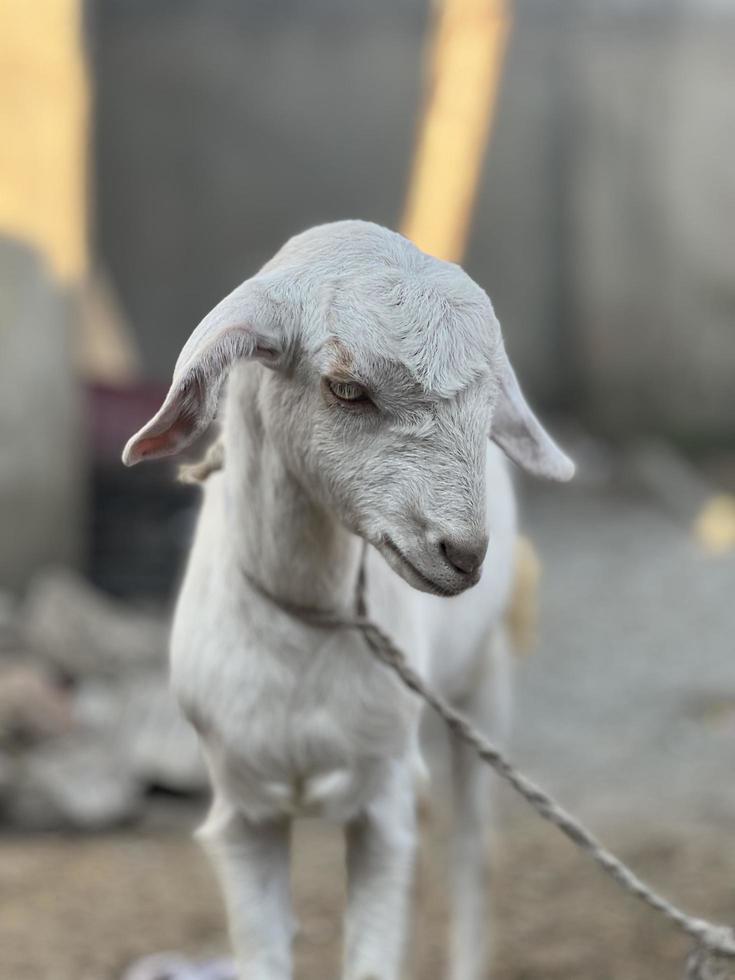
(241, 326)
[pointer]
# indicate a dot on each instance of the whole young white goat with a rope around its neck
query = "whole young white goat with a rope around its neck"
(381, 374)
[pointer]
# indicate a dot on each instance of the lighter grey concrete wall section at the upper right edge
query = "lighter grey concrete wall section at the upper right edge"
(650, 234)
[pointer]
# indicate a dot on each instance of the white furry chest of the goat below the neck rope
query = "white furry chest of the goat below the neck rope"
(293, 721)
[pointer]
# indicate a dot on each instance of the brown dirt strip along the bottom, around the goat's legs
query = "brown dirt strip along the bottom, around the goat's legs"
(81, 909)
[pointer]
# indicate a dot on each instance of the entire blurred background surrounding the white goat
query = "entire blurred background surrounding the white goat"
(577, 157)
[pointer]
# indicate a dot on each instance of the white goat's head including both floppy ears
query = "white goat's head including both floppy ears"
(389, 373)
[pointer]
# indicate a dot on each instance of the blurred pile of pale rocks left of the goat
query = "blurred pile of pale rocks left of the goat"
(88, 727)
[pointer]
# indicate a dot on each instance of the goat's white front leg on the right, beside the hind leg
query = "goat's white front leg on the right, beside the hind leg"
(381, 844)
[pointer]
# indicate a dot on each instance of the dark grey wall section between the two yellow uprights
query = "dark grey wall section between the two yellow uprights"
(223, 128)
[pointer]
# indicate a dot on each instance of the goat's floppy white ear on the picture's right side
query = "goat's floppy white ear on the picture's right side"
(520, 434)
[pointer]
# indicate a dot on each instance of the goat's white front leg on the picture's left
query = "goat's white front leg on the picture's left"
(252, 863)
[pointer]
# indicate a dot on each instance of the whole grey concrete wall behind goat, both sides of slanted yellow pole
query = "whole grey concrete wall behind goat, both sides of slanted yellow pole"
(601, 230)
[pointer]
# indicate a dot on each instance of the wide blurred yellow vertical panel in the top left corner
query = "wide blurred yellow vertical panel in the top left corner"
(44, 108)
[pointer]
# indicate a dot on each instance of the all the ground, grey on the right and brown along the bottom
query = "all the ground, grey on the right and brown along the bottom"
(626, 712)
